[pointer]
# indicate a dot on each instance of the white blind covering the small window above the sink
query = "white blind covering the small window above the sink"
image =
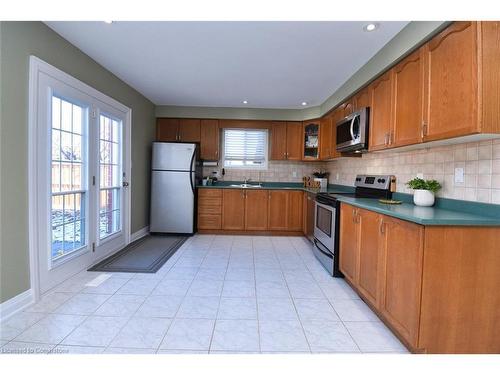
(245, 148)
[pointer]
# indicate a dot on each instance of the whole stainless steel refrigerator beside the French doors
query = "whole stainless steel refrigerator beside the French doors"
(175, 172)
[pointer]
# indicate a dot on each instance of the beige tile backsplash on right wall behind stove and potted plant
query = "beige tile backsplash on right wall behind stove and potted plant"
(480, 161)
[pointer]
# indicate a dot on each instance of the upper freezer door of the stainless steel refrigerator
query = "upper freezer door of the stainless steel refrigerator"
(173, 156)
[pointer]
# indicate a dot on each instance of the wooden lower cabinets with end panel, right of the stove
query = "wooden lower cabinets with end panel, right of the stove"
(435, 287)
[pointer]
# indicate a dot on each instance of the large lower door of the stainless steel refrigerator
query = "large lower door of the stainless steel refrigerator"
(172, 202)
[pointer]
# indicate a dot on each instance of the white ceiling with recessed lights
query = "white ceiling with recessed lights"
(220, 64)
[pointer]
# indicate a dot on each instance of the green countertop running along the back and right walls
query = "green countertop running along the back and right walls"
(444, 212)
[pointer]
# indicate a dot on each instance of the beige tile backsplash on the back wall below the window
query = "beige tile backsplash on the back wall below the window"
(278, 171)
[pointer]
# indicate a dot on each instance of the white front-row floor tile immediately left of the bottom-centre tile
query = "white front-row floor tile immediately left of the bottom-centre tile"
(189, 334)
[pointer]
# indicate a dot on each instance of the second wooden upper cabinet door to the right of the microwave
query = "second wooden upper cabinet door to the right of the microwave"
(408, 100)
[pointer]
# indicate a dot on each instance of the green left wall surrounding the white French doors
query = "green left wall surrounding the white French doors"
(19, 40)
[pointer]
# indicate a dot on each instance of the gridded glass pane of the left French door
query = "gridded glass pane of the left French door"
(68, 187)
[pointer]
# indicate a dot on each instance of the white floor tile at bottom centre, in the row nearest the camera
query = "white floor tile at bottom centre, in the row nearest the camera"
(239, 335)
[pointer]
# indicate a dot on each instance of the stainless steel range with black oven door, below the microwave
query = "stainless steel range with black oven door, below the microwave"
(327, 214)
